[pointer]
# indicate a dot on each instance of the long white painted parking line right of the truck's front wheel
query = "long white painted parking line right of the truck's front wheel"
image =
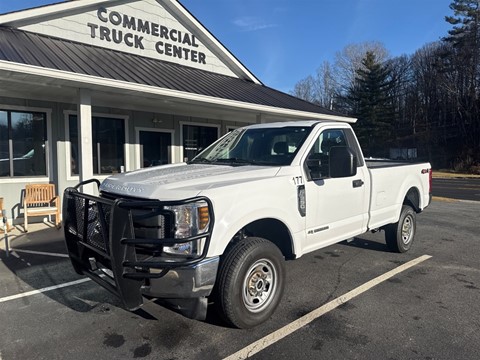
(272, 338)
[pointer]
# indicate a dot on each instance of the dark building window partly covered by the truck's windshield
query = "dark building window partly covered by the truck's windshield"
(196, 138)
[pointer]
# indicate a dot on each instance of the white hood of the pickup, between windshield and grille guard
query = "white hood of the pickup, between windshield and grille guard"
(182, 181)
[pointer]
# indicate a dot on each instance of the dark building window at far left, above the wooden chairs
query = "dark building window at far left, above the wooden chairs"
(23, 143)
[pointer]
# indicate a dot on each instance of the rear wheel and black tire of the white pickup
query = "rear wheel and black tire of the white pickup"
(399, 236)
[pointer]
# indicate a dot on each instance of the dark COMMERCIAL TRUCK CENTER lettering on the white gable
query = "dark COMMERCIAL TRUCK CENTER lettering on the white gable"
(114, 27)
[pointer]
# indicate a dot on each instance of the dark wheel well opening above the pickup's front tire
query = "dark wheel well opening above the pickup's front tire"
(272, 230)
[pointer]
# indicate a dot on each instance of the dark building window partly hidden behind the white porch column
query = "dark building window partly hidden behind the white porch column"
(108, 140)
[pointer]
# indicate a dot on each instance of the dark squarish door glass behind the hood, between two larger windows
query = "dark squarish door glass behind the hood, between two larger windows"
(155, 147)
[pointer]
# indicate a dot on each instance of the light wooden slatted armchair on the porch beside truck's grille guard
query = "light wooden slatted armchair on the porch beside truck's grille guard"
(40, 199)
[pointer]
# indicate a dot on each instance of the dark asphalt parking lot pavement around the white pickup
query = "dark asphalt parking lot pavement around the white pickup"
(430, 311)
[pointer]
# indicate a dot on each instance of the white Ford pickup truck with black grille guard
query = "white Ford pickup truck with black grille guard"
(221, 226)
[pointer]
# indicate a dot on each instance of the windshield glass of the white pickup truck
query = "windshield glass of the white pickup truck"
(276, 146)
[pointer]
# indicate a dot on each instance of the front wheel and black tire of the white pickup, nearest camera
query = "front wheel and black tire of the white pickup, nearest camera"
(250, 282)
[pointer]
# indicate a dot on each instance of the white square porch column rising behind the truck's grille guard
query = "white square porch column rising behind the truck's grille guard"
(85, 151)
